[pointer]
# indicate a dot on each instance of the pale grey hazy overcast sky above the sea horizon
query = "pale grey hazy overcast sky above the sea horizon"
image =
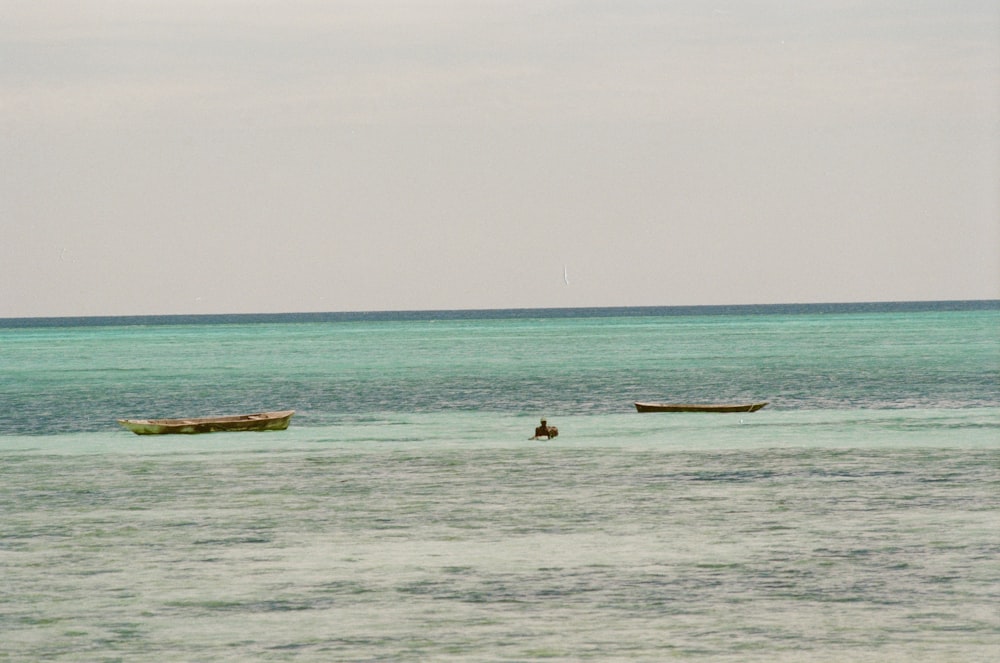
(237, 156)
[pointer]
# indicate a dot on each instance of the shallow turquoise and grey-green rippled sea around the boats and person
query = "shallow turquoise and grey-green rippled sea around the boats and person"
(405, 515)
